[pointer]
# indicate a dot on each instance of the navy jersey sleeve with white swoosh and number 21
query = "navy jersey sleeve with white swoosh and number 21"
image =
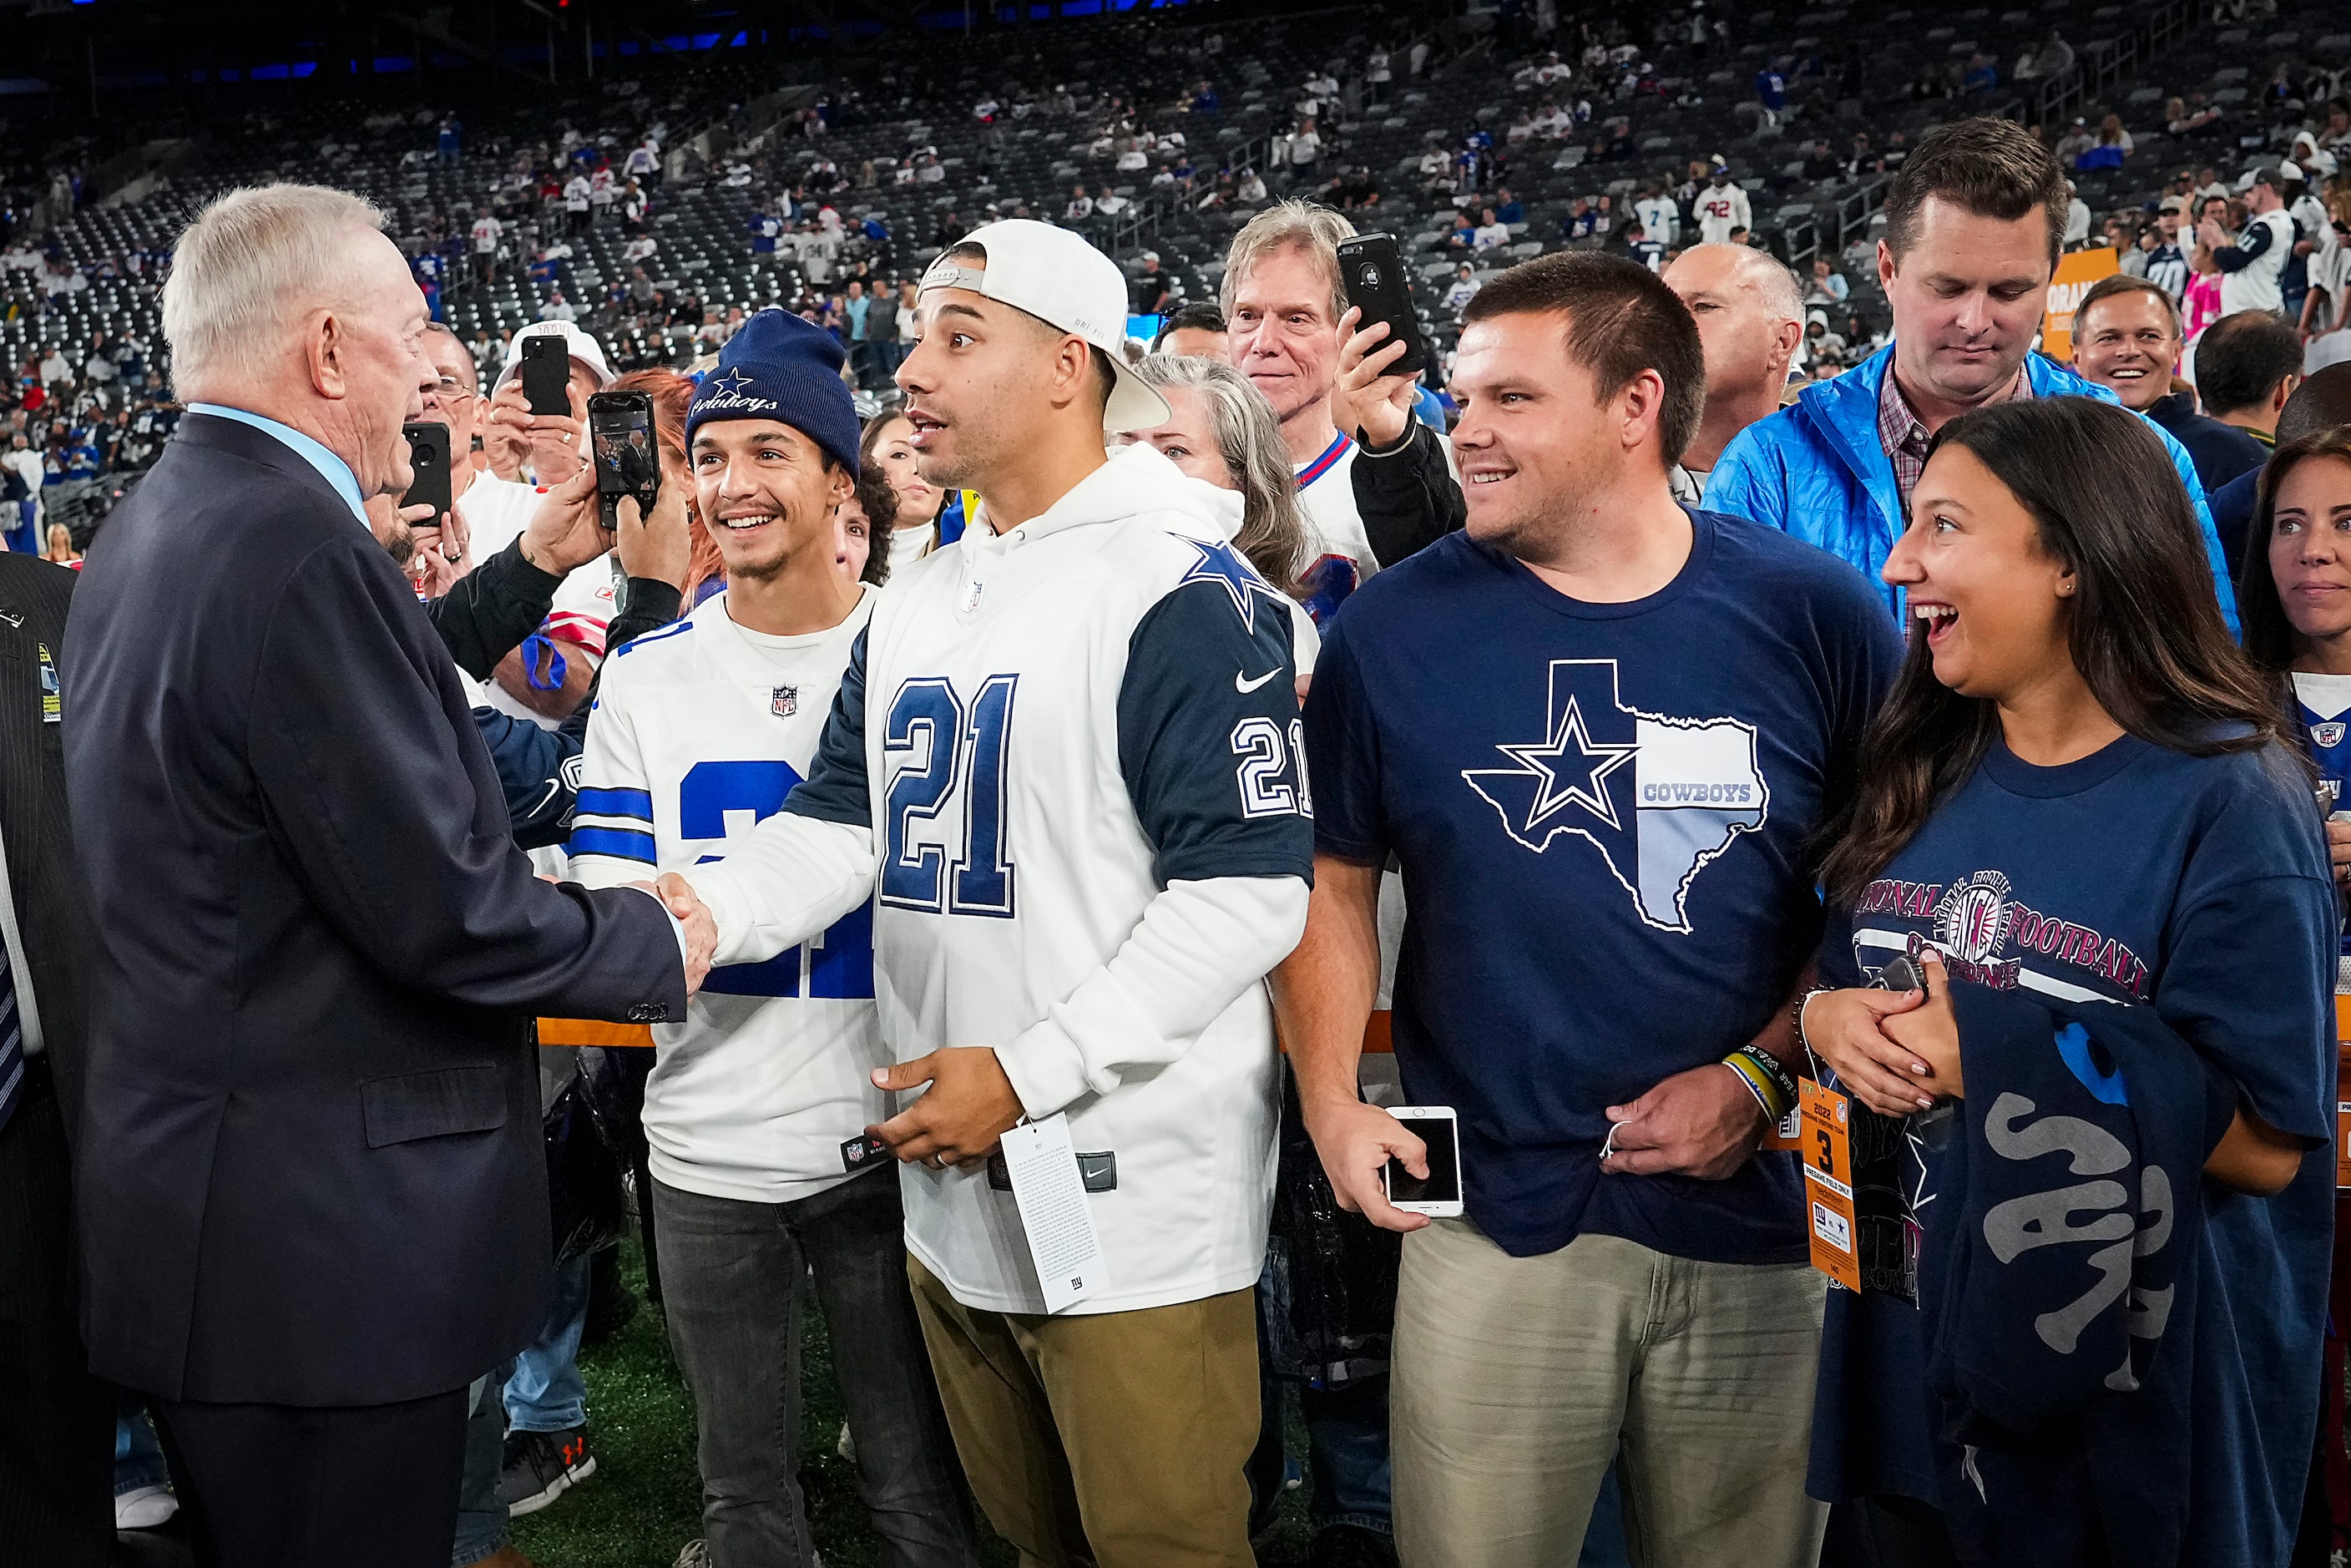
(1210, 737)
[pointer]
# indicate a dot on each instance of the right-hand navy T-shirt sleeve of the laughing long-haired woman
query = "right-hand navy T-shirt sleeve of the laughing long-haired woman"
(2251, 951)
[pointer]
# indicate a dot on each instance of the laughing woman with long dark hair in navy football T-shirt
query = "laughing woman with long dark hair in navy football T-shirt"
(2077, 800)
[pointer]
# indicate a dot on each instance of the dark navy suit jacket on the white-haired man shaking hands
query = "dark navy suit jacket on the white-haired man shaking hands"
(312, 1165)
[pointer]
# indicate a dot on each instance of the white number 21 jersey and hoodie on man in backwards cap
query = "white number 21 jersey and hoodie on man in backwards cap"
(1066, 763)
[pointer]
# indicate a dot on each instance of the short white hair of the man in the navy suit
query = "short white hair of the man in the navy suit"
(246, 267)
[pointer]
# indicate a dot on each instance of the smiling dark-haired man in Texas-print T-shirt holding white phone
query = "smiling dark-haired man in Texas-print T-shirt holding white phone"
(1612, 909)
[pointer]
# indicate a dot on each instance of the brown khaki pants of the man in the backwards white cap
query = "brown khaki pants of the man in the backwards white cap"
(1111, 1438)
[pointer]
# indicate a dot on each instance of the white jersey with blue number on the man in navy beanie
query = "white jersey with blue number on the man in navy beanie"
(699, 732)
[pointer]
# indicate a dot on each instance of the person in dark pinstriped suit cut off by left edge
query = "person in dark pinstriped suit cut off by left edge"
(58, 1423)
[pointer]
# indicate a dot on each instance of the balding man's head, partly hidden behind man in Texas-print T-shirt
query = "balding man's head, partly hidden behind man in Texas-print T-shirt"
(1750, 321)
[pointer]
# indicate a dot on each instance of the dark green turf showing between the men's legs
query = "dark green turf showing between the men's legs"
(645, 1501)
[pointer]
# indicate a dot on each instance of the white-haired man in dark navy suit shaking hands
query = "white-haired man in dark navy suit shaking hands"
(312, 1179)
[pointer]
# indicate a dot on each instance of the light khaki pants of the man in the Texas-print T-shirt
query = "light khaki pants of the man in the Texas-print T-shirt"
(1518, 1381)
